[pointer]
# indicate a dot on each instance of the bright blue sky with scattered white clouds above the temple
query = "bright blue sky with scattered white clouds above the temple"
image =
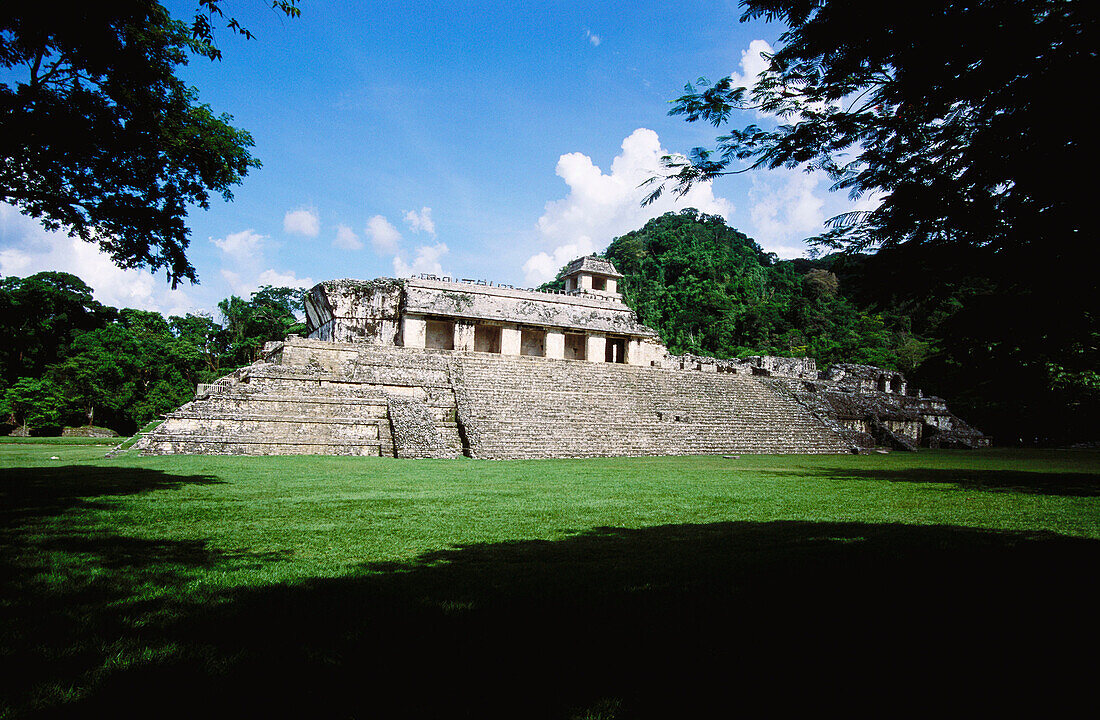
(479, 140)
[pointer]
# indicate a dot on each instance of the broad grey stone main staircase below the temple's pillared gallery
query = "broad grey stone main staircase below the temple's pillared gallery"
(522, 407)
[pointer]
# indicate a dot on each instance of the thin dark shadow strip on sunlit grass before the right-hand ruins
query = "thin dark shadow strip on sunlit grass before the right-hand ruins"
(1080, 485)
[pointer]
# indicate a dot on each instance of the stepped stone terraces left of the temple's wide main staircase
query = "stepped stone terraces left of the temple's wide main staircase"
(335, 408)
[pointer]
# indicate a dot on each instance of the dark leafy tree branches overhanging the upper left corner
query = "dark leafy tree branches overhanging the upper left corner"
(101, 138)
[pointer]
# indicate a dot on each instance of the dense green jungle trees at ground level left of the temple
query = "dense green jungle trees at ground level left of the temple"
(68, 360)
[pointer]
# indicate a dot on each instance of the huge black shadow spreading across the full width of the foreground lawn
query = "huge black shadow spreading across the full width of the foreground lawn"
(667, 622)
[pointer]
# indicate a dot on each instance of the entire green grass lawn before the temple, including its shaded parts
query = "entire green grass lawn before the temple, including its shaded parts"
(619, 588)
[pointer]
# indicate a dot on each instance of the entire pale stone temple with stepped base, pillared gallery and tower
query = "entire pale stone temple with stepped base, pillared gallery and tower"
(441, 368)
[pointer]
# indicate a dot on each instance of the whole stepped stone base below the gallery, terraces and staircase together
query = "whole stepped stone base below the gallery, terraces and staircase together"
(314, 397)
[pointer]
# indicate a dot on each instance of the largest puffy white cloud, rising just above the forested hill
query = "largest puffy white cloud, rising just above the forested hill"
(602, 206)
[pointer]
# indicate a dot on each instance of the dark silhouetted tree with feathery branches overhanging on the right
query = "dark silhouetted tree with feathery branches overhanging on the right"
(982, 228)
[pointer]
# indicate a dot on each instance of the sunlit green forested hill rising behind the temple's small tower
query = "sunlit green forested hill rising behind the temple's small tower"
(711, 291)
